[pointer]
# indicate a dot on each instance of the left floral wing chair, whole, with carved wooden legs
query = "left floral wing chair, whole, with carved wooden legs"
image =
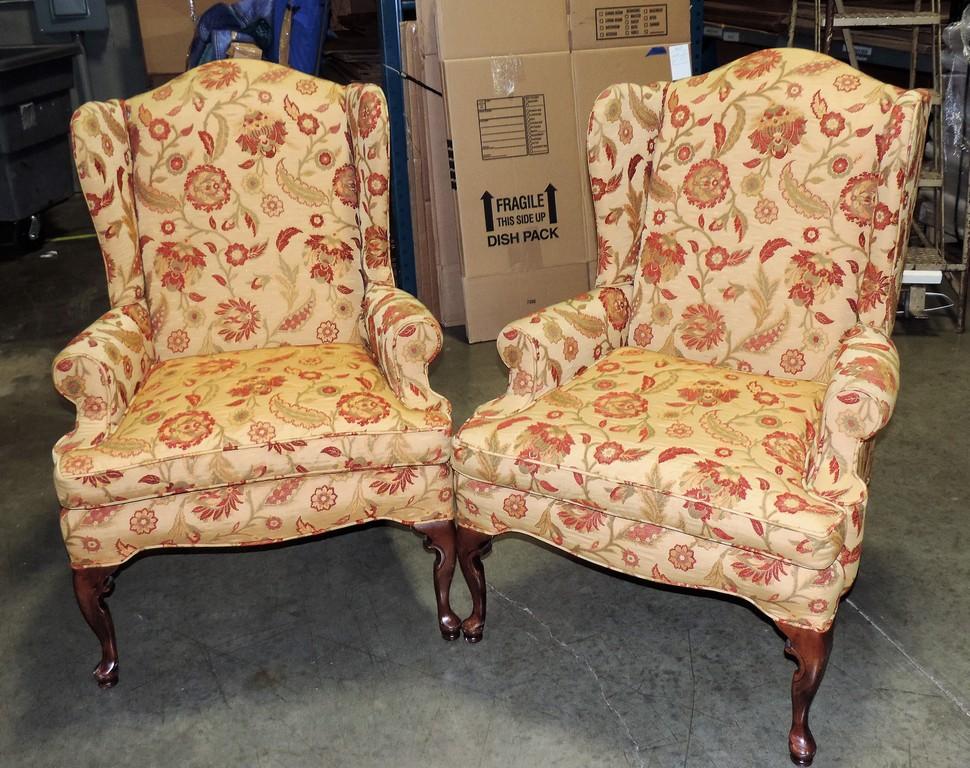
(258, 378)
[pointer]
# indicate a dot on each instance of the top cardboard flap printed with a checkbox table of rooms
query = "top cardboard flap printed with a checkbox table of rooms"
(620, 23)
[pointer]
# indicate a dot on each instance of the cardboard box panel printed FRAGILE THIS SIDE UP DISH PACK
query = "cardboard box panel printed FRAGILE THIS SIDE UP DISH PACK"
(512, 125)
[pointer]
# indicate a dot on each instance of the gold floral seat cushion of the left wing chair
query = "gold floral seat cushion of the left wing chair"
(208, 421)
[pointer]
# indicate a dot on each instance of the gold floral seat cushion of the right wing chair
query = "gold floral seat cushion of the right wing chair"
(709, 451)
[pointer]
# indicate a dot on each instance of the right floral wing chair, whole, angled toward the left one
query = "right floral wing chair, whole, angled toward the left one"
(703, 416)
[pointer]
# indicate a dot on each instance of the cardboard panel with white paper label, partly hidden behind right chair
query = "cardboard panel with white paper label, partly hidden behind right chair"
(593, 71)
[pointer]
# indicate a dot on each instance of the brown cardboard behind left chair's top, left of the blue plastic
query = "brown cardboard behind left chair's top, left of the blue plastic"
(166, 32)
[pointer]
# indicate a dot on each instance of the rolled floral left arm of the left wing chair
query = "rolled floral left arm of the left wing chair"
(101, 369)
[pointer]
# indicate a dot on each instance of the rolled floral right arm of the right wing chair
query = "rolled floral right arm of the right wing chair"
(858, 403)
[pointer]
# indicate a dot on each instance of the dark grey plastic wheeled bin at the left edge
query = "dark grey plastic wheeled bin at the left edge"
(35, 114)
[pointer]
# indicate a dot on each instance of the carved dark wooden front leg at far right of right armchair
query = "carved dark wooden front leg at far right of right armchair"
(810, 650)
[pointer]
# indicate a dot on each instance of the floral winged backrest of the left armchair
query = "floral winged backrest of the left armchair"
(244, 202)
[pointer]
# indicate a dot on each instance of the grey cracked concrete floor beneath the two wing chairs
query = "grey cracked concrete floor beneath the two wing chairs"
(326, 653)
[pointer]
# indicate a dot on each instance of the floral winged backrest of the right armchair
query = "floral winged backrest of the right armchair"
(760, 210)
